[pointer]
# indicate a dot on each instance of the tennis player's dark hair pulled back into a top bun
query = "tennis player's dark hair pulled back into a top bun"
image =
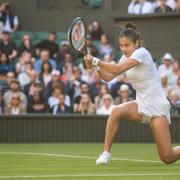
(130, 32)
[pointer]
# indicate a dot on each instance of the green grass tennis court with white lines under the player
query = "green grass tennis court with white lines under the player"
(77, 161)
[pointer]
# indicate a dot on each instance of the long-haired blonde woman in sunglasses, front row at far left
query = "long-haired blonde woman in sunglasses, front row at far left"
(15, 106)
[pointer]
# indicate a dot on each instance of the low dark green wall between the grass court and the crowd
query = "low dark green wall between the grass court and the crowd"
(73, 128)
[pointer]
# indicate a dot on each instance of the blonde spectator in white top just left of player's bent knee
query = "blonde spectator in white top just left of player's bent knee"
(107, 106)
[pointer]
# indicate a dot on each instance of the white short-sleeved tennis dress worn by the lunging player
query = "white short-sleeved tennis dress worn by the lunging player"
(145, 78)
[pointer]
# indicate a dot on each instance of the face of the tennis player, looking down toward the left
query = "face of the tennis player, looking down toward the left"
(127, 46)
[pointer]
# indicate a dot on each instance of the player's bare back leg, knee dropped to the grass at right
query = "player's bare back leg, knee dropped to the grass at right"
(160, 129)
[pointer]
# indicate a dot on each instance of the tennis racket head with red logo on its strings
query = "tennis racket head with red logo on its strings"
(77, 34)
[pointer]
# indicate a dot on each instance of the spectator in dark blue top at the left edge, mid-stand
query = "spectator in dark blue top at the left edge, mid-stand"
(5, 65)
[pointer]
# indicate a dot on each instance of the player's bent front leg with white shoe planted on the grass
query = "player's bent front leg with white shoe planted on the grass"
(126, 111)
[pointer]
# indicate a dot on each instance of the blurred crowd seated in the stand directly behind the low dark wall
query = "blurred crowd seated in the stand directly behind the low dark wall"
(48, 77)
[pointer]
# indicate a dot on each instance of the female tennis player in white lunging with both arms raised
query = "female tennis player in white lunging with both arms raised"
(151, 105)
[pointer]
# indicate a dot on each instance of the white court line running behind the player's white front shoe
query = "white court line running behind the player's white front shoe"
(80, 157)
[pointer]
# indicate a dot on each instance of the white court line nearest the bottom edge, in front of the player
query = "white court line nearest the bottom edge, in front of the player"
(91, 175)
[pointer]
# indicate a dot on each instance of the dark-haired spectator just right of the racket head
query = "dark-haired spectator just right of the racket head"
(95, 30)
